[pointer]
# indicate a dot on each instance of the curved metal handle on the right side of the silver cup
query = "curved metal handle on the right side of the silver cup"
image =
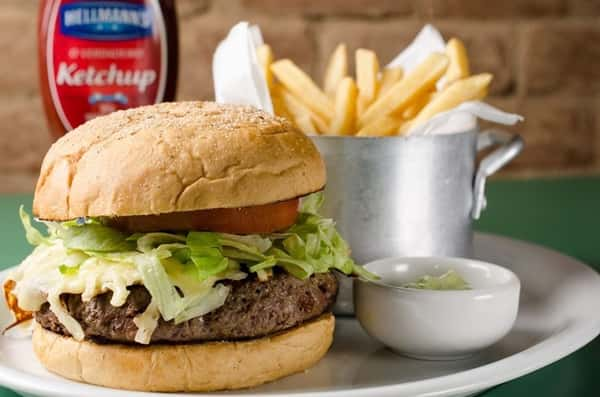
(510, 146)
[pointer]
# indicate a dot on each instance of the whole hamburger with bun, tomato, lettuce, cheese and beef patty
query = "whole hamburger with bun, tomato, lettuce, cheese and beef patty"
(184, 251)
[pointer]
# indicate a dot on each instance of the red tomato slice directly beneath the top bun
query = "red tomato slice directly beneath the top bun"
(258, 219)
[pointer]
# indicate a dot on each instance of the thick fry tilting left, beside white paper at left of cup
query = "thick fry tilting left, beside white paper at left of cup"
(302, 86)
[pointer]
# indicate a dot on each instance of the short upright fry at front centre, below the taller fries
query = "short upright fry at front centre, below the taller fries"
(345, 108)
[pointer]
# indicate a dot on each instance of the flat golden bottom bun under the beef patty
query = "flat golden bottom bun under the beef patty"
(186, 367)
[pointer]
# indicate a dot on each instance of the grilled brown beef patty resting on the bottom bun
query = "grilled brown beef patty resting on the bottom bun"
(252, 309)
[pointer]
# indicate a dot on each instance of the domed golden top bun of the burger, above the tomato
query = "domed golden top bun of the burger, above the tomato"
(175, 157)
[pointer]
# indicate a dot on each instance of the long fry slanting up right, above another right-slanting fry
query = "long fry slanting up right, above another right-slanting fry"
(418, 81)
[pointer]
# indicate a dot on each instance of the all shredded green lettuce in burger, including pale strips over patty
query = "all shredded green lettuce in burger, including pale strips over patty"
(181, 270)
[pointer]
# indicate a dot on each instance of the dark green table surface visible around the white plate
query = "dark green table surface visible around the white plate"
(563, 214)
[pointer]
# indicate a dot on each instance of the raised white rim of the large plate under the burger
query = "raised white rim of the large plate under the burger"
(546, 352)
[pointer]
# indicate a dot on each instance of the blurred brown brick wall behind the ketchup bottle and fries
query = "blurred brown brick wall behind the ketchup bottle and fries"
(545, 55)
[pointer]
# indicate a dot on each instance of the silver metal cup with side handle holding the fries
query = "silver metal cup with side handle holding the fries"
(409, 196)
